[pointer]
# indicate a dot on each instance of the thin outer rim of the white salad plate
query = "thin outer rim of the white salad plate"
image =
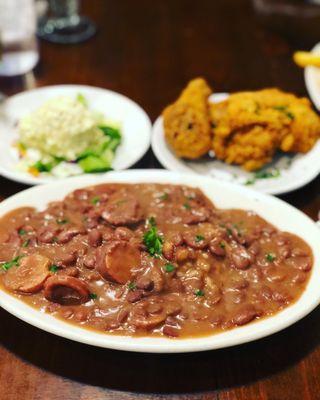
(29, 180)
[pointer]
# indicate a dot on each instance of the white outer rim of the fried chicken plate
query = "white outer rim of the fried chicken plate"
(158, 136)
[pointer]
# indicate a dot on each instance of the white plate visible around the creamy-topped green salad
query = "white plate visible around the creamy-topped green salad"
(135, 125)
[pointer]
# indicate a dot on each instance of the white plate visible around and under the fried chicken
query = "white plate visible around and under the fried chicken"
(295, 171)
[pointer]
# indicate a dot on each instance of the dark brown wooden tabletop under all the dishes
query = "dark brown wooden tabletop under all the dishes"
(148, 50)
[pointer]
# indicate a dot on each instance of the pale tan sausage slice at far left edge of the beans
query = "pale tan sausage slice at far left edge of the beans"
(29, 276)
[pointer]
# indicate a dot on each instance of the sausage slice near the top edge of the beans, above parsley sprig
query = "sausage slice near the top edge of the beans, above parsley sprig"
(124, 211)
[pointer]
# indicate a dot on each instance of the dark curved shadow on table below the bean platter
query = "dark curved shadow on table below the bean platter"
(148, 373)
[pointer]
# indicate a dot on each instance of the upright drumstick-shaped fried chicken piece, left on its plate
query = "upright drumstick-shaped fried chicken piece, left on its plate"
(187, 121)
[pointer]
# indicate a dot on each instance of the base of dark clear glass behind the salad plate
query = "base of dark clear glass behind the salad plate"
(63, 24)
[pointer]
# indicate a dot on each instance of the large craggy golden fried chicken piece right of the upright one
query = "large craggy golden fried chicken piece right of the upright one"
(249, 127)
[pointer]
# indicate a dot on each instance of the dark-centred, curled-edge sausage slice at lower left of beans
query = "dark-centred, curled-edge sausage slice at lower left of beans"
(66, 290)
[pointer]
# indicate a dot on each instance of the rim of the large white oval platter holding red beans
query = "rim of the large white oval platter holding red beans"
(51, 324)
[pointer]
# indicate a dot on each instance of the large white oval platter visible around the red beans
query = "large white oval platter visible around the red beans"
(224, 195)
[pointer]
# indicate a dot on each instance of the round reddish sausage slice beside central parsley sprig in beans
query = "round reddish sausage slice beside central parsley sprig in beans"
(116, 261)
